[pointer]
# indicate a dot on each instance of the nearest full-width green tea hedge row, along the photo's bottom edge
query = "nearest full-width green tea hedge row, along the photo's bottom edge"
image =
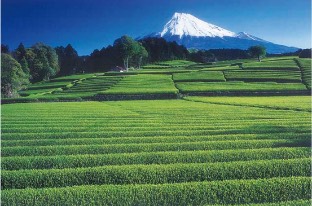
(196, 193)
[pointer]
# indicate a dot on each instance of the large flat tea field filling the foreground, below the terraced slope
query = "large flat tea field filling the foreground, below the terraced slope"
(198, 151)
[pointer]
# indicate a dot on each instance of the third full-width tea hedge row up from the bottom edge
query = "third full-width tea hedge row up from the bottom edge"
(72, 161)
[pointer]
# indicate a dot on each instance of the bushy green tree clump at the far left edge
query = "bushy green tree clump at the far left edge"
(24, 65)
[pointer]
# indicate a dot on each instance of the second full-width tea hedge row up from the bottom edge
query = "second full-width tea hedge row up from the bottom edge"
(154, 174)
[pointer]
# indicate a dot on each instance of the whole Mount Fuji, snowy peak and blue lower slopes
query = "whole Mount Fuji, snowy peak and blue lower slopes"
(194, 33)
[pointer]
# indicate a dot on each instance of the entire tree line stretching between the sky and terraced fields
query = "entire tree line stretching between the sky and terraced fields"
(41, 62)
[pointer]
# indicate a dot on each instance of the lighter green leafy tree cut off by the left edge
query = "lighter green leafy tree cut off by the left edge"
(12, 76)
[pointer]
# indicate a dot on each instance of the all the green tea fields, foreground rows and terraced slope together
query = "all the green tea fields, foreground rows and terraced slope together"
(214, 134)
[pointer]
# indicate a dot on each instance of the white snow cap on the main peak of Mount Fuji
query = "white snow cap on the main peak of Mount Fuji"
(182, 24)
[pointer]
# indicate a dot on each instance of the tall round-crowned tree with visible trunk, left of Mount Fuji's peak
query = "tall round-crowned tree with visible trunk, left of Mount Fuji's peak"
(126, 48)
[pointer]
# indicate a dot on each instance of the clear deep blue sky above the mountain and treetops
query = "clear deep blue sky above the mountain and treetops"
(93, 24)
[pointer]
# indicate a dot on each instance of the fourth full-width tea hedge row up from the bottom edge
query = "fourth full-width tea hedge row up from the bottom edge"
(149, 147)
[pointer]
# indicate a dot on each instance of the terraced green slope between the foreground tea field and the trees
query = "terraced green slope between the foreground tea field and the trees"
(173, 79)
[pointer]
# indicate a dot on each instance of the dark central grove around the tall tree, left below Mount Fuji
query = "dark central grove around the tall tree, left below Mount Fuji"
(126, 52)
